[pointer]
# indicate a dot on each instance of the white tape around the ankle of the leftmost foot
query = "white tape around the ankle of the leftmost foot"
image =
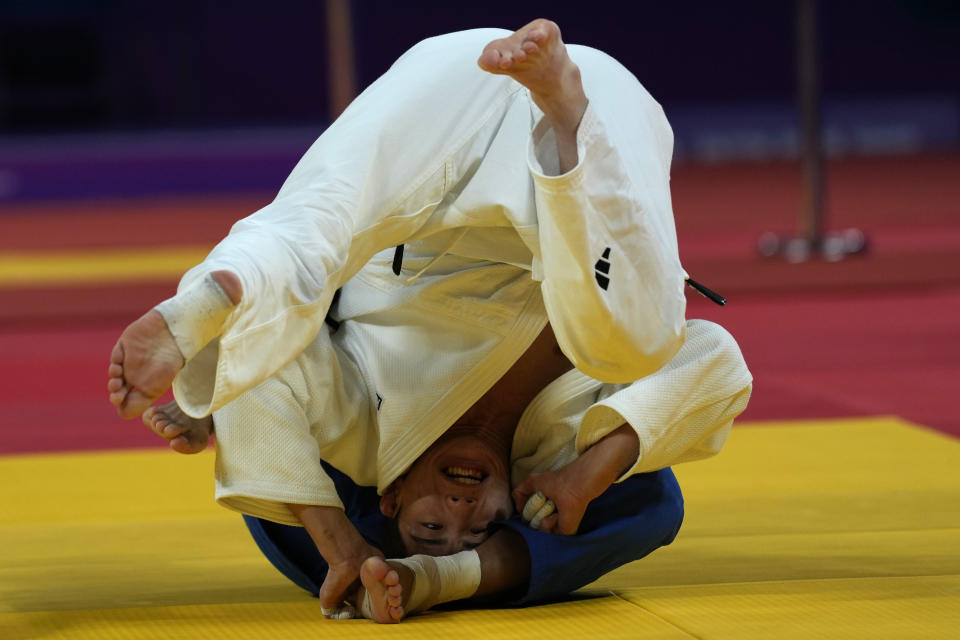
(195, 316)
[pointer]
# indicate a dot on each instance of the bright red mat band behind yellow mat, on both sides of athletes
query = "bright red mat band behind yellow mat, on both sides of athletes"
(812, 356)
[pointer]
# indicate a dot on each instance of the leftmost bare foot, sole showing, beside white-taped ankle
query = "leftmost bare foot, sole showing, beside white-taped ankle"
(143, 364)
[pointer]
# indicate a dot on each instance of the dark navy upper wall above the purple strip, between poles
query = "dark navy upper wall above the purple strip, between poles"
(66, 65)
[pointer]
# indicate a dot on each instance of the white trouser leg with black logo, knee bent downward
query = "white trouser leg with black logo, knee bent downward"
(612, 279)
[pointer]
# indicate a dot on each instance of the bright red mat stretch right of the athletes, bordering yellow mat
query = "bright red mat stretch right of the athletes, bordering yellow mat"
(821, 356)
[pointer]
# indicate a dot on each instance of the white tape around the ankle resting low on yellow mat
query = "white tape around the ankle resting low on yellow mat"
(436, 580)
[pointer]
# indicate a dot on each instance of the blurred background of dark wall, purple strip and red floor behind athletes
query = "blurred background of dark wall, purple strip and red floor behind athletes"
(133, 134)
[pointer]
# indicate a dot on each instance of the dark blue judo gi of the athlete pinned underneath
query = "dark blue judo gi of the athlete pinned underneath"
(627, 522)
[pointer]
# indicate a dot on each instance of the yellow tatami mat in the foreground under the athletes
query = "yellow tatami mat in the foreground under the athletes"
(834, 529)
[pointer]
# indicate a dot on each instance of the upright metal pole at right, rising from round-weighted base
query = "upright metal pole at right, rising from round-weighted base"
(811, 144)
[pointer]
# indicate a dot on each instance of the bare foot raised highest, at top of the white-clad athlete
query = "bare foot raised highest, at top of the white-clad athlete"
(536, 57)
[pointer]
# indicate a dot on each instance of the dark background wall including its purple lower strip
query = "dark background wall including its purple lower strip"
(132, 97)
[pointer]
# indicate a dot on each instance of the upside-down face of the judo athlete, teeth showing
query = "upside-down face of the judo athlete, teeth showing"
(447, 500)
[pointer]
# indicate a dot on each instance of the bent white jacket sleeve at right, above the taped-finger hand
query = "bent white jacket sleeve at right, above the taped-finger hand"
(683, 411)
